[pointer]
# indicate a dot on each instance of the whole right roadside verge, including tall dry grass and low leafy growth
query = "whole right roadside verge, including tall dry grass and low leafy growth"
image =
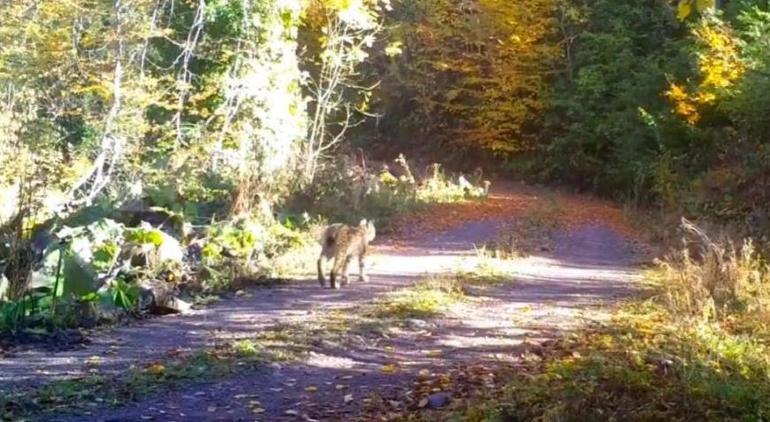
(697, 350)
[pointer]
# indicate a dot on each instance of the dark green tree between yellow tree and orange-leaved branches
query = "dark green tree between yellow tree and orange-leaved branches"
(608, 111)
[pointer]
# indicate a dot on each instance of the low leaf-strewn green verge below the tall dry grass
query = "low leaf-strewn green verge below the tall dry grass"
(645, 365)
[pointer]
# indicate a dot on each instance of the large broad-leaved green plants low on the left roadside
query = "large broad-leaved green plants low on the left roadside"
(92, 269)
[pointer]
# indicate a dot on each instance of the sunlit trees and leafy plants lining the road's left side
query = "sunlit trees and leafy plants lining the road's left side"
(148, 166)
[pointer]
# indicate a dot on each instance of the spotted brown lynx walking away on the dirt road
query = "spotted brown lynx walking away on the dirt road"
(341, 242)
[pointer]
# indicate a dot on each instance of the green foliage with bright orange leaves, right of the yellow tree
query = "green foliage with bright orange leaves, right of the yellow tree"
(651, 109)
